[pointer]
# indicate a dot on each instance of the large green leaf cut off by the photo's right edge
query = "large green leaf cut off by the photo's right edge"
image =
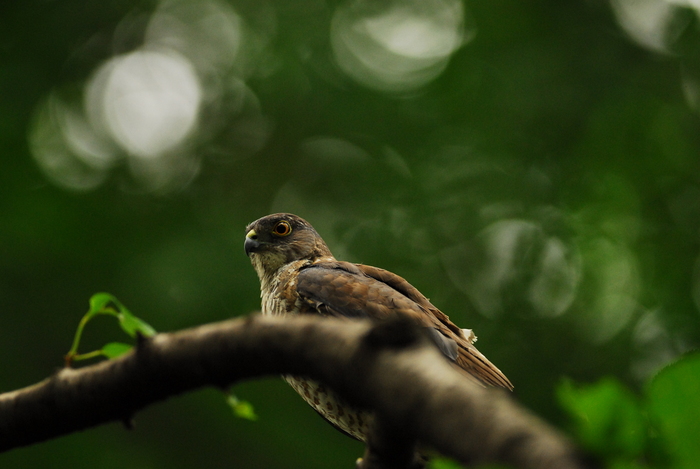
(674, 403)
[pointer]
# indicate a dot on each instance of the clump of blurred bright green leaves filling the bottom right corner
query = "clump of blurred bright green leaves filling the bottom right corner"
(657, 430)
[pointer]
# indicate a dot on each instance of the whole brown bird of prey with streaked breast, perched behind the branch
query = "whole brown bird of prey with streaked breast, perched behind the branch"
(299, 275)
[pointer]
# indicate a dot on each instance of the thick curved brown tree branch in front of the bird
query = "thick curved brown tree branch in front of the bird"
(390, 368)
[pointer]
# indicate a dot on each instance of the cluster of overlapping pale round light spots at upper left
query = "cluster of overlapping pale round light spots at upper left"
(158, 109)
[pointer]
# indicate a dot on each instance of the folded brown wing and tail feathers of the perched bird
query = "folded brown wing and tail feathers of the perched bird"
(343, 289)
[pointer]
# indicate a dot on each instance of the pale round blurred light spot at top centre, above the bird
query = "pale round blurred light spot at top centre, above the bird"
(400, 46)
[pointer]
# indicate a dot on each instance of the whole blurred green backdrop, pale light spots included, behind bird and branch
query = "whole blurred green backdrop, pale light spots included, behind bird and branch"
(534, 169)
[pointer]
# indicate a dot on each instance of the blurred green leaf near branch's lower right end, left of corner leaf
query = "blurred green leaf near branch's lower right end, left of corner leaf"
(607, 418)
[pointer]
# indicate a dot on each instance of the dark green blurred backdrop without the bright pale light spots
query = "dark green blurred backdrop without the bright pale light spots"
(551, 120)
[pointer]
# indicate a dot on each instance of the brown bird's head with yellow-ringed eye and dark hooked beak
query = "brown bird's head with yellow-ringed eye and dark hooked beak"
(278, 239)
